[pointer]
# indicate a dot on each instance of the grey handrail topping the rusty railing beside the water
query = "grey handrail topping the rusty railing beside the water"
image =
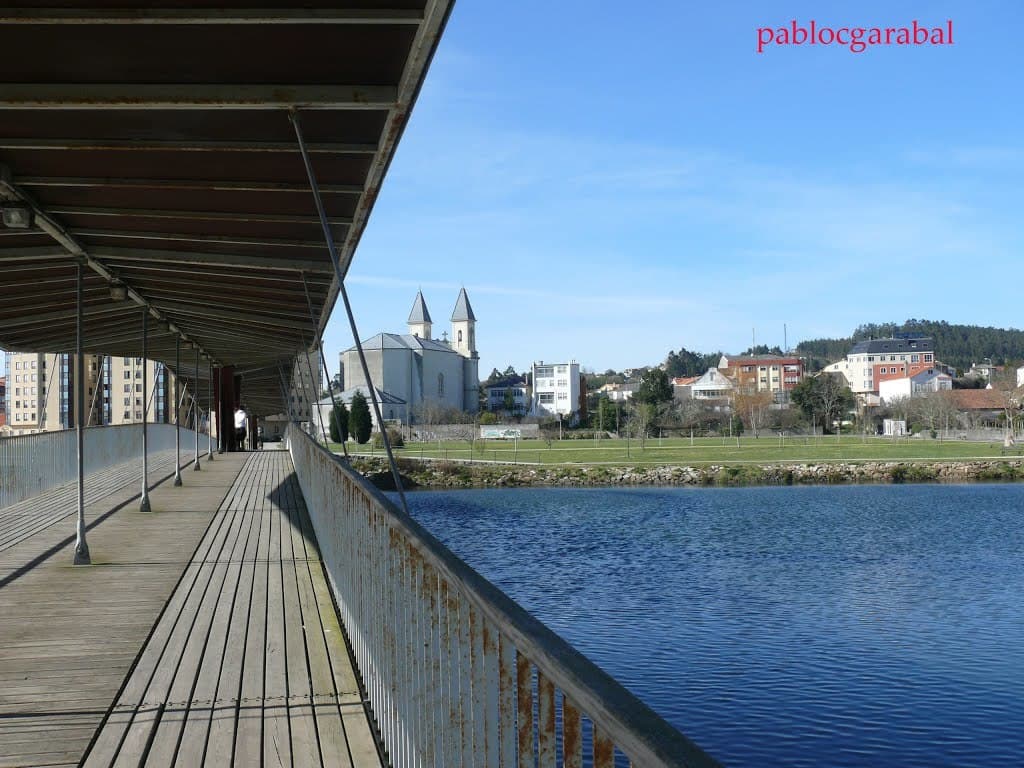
(643, 734)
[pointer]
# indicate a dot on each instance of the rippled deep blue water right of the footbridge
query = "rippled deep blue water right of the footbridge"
(797, 626)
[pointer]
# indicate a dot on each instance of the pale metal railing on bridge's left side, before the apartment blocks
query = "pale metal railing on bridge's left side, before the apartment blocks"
(32, 464)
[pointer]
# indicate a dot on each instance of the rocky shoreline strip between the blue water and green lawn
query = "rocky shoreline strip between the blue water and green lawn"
(442, 475)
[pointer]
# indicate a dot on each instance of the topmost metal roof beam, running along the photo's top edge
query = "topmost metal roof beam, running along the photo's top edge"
(181, 17)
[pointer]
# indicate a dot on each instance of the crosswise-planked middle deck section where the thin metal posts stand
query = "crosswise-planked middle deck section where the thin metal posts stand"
(69, 635)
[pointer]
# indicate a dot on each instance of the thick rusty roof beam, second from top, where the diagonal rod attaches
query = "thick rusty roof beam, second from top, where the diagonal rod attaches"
(195, 97)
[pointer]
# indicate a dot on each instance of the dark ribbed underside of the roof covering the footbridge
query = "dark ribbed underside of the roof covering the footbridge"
(155, 148)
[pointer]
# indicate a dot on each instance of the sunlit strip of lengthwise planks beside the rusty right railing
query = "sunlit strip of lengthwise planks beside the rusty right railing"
(248, 665)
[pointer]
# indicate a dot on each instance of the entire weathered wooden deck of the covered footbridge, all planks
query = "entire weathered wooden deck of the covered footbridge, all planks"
(207, 636)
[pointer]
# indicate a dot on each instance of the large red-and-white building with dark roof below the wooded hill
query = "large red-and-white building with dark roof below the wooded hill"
(870, 363)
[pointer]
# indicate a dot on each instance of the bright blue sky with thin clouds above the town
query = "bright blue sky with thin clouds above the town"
(615, 181)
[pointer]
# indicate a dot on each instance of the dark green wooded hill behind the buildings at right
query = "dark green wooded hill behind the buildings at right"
(956, 346)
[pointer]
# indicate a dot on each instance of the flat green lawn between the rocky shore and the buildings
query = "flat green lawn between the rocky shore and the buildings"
(703, 451)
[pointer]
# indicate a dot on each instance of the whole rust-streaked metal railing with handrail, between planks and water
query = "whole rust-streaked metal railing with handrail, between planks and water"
(456, 673)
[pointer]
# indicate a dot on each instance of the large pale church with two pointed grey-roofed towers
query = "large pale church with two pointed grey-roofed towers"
(414, 370)
